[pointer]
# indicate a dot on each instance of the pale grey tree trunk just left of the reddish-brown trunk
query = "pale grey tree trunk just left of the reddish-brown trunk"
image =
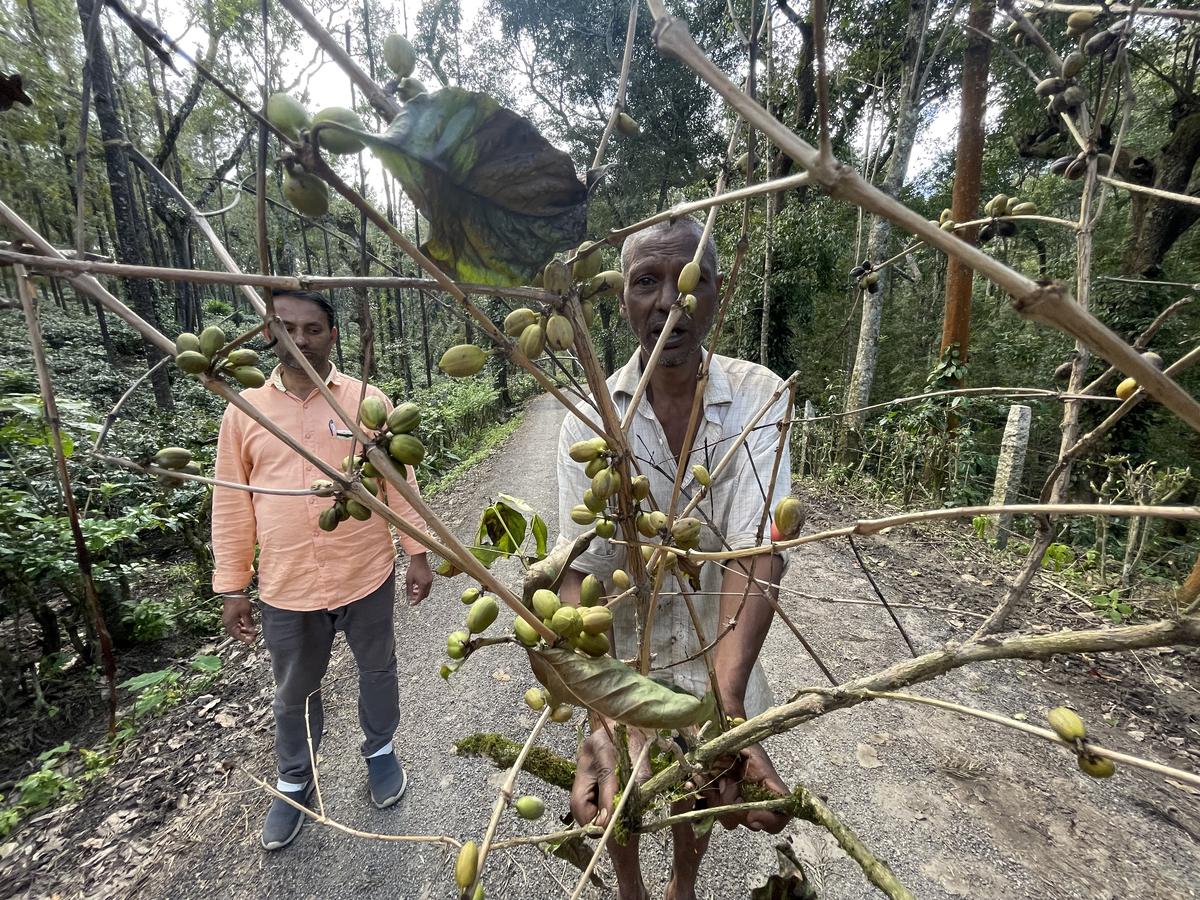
(859, 394)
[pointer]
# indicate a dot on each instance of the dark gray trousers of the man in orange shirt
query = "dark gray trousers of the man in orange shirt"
(301, 645)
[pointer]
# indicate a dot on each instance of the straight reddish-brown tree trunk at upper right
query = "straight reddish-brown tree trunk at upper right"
(968, 173)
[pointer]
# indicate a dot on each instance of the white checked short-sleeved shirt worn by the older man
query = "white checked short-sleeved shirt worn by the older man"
(735, 505)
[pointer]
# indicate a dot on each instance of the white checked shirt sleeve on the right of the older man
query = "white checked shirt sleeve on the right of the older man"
(757, 459)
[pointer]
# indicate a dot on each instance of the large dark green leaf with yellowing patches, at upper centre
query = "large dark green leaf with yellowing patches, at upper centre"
(500, 199)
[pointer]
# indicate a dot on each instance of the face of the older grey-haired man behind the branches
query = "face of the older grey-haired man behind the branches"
(651, 289)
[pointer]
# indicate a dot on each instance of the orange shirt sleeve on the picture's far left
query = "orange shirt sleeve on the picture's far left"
(235, 529)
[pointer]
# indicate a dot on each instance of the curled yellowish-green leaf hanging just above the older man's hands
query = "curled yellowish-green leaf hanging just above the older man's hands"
(616, 691)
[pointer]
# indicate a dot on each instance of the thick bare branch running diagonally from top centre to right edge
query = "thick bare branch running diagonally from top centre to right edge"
(1048, 304)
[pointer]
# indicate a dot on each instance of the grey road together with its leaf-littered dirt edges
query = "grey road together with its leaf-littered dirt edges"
(958, 811)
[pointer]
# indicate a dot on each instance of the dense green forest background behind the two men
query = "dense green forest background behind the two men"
(896, 68)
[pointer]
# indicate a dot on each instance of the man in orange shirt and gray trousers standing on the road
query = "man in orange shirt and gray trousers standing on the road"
(313, 584)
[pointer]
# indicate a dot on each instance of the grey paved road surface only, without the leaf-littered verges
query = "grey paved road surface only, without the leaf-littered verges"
(958, 811)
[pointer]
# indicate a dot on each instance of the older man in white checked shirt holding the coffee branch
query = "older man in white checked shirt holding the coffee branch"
(652, 261)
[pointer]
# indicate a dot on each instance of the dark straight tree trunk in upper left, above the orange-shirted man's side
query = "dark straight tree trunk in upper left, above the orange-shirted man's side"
(131, 231)
